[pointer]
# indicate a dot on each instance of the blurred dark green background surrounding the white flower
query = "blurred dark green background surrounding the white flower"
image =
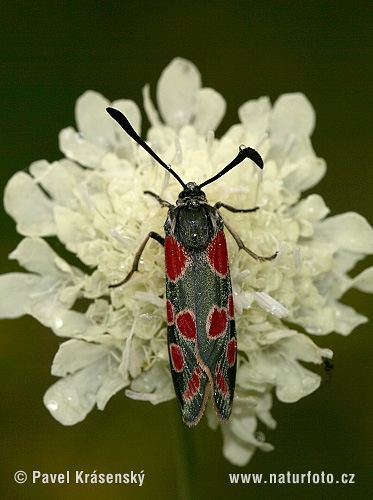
(51, 52)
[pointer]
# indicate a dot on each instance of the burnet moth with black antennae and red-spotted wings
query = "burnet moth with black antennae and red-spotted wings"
(199, 303)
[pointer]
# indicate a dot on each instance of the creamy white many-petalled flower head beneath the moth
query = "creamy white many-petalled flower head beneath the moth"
(93, 202)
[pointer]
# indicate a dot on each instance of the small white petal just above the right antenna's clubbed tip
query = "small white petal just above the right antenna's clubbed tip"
(255, 115)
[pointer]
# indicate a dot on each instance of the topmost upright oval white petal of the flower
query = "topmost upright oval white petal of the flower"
(176, 91)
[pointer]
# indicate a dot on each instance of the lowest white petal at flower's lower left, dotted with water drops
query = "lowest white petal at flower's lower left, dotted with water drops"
(71, 399)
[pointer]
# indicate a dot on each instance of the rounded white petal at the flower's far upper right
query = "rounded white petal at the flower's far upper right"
(293, 115)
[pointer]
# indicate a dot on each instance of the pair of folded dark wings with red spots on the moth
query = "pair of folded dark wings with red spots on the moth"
(201, 330)
